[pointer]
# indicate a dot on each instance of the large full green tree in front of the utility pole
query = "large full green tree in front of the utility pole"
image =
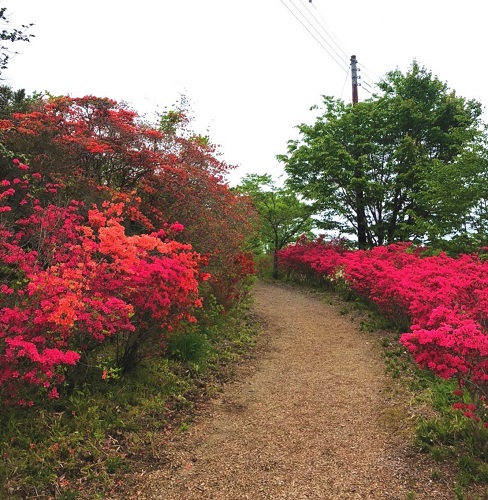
(377, 169)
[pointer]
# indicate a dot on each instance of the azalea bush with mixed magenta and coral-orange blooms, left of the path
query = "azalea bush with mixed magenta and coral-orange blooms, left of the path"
(71, 279)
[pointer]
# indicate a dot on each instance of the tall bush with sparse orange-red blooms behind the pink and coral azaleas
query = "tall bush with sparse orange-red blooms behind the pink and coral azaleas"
(100, 150)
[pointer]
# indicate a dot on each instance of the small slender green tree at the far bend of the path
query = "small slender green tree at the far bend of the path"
(282, 215)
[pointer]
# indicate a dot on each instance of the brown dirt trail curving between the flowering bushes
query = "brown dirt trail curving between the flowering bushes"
(307, 422)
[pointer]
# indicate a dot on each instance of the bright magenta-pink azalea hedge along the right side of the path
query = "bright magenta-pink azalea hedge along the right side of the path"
(442, 300)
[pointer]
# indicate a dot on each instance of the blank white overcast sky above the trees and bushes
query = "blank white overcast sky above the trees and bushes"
(250, 70)
